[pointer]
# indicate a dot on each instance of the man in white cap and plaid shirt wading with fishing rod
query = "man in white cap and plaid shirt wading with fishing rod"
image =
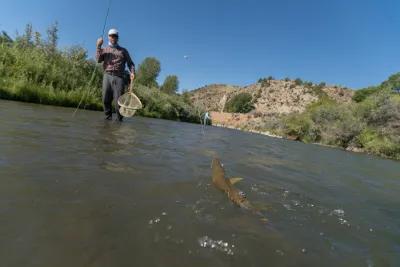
(114, 58)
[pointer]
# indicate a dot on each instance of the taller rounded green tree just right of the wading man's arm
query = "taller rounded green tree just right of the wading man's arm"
(148, 72)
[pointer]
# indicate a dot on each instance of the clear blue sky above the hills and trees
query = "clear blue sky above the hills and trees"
(353, 43)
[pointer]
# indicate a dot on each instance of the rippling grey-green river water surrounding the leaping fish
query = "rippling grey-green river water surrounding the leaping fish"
(85, 192)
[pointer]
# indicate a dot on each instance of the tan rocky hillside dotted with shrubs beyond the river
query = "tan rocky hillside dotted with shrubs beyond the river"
(271, 97)
